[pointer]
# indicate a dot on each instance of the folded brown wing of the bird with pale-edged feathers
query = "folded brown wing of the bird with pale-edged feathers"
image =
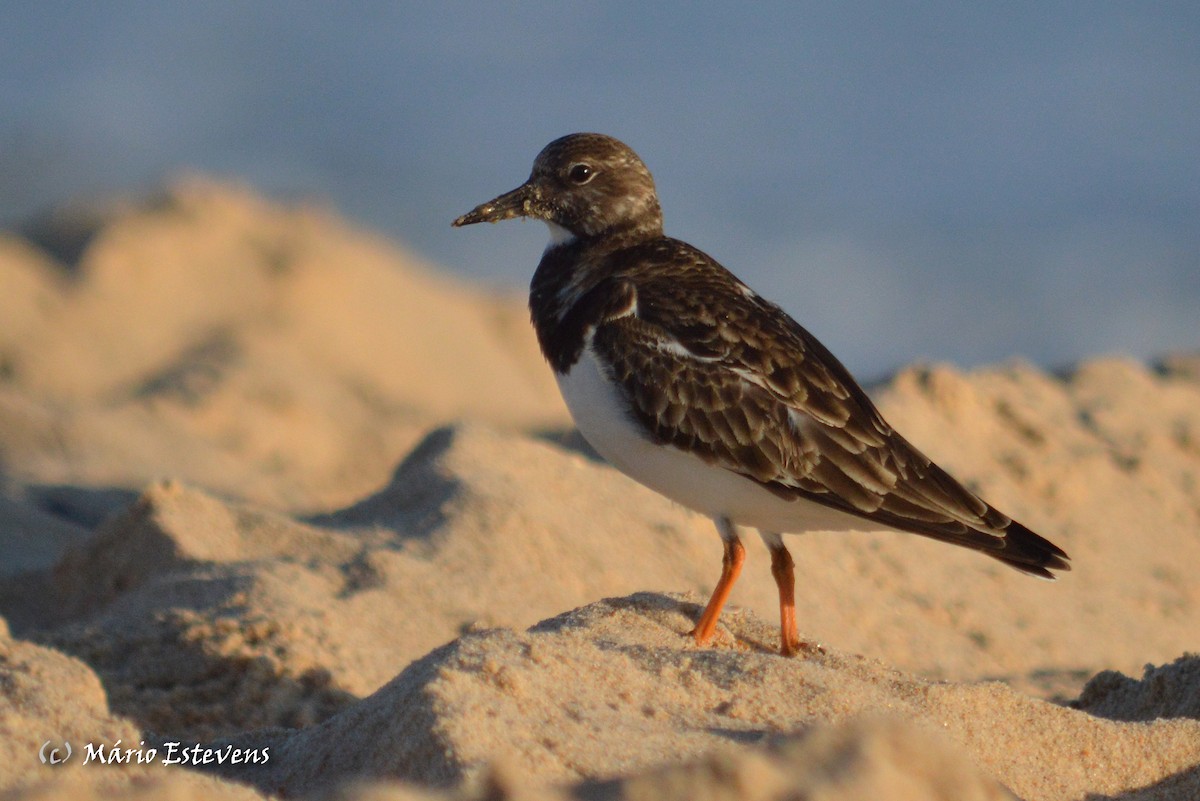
(730, 377)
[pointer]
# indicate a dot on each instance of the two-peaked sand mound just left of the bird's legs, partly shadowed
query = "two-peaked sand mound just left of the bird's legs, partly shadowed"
(255, 619)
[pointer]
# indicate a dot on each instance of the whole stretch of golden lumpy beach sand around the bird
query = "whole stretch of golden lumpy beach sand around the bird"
(272, 486)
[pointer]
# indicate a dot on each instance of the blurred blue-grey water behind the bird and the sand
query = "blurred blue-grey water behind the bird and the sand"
(947, 182)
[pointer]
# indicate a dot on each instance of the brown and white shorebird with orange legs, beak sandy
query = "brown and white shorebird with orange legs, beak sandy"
(687, 381)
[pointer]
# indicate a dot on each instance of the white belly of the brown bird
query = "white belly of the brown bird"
(601, 414)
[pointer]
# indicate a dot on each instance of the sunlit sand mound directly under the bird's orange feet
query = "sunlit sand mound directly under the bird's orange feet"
(617, 688)
